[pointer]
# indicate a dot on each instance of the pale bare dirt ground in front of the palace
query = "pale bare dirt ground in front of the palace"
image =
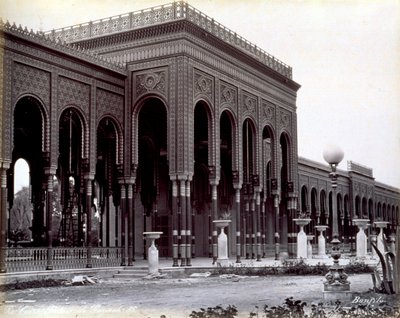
(118, 297)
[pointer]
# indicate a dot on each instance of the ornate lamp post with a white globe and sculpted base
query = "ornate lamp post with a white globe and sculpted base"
(336, 285)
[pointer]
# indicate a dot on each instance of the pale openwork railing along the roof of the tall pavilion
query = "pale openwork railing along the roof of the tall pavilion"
(178, 10)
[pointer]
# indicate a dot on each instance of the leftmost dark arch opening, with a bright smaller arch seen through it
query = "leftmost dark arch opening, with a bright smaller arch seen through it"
(29, 144)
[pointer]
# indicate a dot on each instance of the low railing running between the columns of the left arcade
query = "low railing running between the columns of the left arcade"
(35, 259)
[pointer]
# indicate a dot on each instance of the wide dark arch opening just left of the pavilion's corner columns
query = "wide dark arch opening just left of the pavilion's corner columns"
(152, 207)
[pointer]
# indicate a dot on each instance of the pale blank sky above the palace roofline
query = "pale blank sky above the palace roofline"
(344, 54)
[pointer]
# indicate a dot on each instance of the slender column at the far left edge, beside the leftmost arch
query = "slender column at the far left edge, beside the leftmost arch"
(3, 217)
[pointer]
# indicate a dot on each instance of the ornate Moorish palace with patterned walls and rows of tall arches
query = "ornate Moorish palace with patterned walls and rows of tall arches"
(162, 120)
